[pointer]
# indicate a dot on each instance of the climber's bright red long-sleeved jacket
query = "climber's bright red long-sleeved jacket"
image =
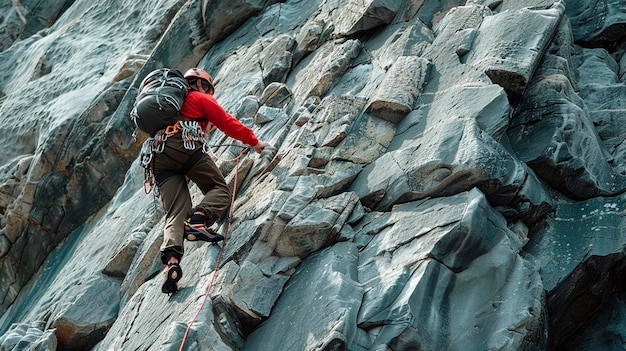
(204, 108)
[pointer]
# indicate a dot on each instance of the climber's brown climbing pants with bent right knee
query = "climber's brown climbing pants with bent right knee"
(172, 168)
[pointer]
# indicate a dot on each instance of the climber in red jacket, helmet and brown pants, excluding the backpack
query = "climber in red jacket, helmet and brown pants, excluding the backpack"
(182, 159)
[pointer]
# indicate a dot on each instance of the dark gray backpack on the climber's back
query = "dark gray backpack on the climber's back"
(160, 98)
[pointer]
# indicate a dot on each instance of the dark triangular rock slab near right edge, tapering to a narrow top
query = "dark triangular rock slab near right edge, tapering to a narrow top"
(553, 133)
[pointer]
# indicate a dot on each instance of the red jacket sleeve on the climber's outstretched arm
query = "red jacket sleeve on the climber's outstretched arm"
(227, 123)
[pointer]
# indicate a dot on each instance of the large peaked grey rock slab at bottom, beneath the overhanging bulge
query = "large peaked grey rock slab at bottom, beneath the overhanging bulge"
(455, 252)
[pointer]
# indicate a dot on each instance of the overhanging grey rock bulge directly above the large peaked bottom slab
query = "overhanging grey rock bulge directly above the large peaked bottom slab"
(454, 156)
